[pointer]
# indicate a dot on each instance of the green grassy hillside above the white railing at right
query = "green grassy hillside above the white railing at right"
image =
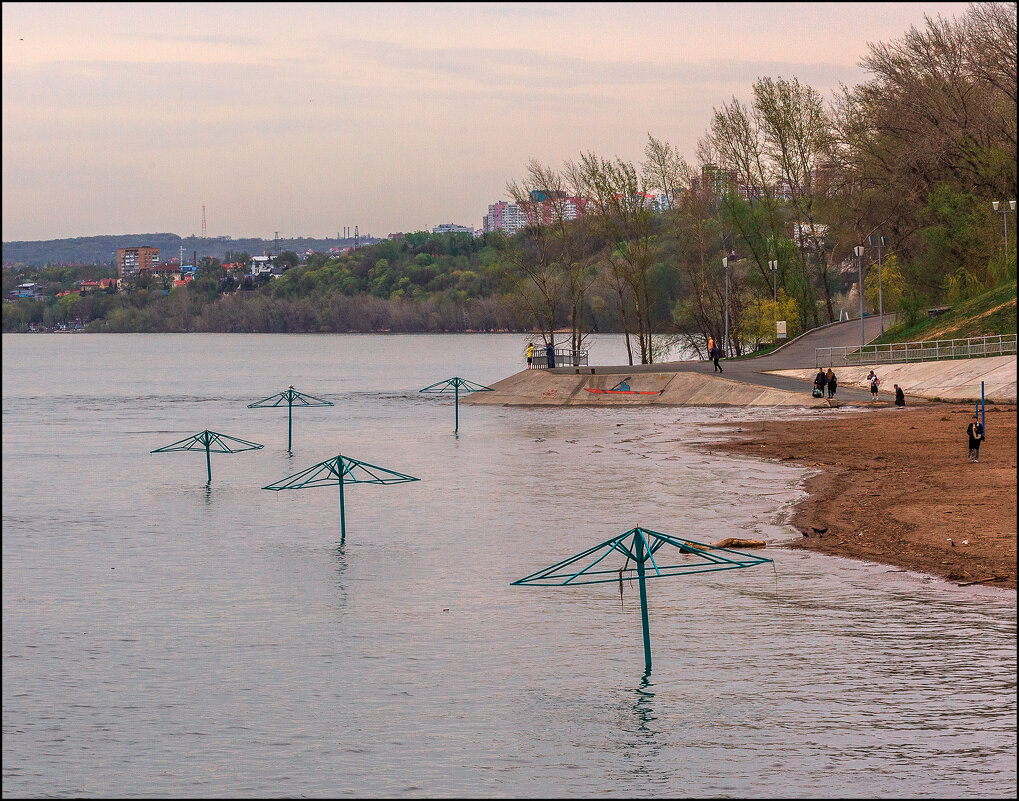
(992, 312)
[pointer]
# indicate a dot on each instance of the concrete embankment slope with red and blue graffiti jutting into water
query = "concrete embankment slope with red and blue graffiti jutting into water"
(545, 388)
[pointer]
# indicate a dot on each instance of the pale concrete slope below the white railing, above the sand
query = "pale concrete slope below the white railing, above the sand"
(946, 381)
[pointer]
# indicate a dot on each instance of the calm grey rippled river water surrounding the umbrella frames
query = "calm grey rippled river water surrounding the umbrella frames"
(166, 638)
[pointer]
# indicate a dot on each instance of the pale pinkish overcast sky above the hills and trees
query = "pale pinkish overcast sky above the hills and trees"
(303, 120)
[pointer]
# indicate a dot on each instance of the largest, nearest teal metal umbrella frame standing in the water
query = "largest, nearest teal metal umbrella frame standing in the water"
(639, 547)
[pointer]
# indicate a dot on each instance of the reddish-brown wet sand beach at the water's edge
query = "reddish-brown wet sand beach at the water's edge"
(897, 487)
